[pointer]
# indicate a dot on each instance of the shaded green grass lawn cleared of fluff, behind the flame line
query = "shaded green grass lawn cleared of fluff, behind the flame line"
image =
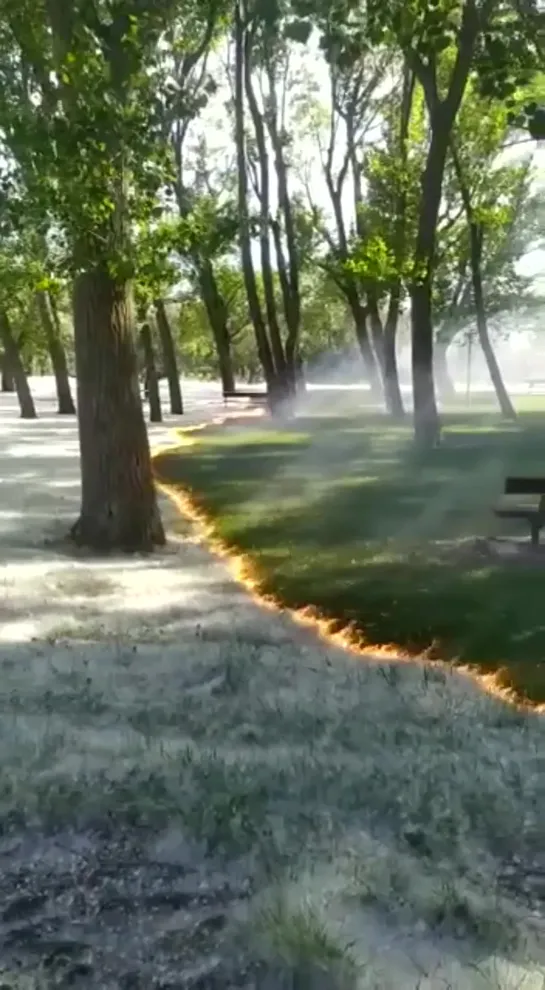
(340, 512)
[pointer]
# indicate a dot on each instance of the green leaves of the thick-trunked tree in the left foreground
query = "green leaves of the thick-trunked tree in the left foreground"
(80, 116)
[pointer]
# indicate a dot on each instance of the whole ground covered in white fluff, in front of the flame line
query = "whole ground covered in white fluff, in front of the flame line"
(196, 793)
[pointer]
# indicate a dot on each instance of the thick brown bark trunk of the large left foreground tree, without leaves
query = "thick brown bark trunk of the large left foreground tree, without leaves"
(119, 508)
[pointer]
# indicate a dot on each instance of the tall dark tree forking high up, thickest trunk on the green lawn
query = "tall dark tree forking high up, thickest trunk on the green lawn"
(441, 43)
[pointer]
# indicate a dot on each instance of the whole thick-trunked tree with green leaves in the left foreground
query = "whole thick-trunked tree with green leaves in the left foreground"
(93, 147)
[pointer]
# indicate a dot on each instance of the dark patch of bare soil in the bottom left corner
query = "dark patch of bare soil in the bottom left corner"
(118, 910)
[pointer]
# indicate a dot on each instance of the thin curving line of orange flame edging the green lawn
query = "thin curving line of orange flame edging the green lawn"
(327, 630)
